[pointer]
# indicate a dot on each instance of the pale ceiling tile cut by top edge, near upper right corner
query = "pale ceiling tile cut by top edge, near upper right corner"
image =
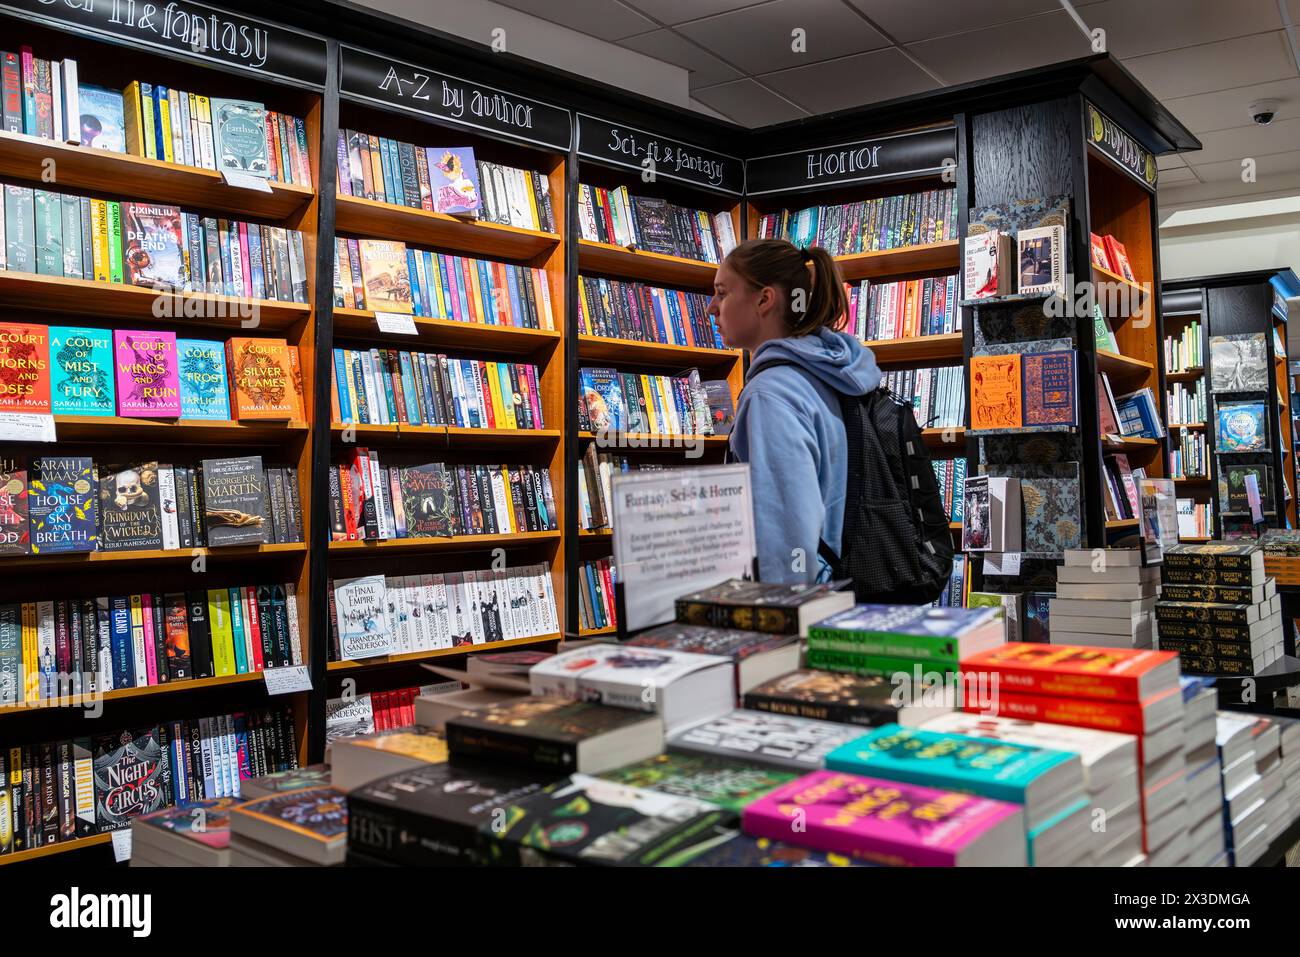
(1136, 29)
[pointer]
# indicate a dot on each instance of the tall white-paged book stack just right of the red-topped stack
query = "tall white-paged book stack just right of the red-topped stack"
(1204, 776)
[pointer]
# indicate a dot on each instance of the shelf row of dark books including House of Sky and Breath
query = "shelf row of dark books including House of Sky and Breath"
(70, 504)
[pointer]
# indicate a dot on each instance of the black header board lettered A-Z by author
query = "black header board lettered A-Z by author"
(441, 97)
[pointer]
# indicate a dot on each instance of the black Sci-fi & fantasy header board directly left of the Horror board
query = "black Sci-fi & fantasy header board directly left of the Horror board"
(625, 146)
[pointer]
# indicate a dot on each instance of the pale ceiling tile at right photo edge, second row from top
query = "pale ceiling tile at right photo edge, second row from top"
(1240, 62)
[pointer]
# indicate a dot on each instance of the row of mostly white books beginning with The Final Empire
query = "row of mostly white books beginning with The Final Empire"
(376, 616)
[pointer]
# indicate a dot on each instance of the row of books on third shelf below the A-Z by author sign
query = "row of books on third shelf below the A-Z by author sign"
(380, 387)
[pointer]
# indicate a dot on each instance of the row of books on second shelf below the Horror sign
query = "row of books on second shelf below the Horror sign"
(904, 310)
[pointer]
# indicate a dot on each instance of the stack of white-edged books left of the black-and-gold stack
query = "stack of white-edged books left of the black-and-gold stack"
(1106, 599)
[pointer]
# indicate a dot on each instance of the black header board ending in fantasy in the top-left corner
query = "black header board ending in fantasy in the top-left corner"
(190, 31)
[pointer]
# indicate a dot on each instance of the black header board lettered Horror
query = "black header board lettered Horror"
(886, 158)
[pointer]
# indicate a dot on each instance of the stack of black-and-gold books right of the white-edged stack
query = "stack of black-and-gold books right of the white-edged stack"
(1219, 610)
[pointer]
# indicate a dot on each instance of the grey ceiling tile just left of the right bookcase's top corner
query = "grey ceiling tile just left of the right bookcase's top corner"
(1000, 50)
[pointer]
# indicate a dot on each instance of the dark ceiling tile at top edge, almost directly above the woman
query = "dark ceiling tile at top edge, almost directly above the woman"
(759, 40)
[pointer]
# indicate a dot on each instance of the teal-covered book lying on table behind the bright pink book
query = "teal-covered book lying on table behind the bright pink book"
(977, 765)
